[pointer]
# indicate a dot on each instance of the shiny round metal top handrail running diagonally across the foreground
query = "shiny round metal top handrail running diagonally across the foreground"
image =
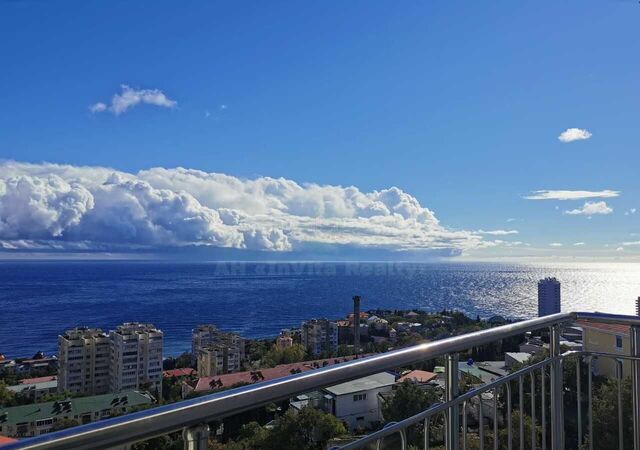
(154, 422)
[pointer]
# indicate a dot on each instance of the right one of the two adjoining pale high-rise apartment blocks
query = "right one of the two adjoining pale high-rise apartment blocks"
(136, 358)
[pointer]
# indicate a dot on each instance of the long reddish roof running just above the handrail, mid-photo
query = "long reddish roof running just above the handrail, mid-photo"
(205, 383)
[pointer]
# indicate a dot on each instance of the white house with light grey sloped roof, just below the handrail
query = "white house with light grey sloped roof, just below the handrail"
(357, 402)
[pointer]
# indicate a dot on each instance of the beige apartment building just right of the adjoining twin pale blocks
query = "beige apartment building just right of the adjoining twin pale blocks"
(216, 352)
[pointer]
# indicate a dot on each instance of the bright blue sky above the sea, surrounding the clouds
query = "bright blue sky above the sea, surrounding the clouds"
(458, 104)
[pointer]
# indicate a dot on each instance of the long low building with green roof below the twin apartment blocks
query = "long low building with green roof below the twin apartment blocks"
(39, 418)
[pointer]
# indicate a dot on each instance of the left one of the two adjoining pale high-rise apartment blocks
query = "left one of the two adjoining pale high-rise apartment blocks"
(84, 359)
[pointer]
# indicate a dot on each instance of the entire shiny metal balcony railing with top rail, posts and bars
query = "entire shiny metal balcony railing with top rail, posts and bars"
(192, 416)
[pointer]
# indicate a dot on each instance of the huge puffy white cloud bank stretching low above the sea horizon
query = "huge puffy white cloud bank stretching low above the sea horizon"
(97, 207)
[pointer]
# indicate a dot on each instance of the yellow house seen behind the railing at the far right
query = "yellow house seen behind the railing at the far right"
(608, 338)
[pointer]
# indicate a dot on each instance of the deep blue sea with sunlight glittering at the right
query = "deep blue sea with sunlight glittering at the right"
(41, 299)
